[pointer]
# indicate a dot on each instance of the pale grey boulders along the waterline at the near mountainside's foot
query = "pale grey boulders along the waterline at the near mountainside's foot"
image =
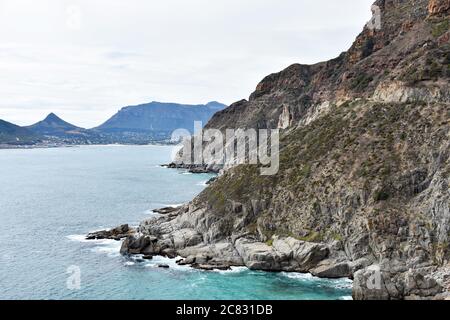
(174, 235)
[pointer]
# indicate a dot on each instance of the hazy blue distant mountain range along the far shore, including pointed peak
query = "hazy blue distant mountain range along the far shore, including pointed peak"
(141, 124)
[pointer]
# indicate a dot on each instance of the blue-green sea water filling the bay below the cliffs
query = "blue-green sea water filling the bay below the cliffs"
(50, 198)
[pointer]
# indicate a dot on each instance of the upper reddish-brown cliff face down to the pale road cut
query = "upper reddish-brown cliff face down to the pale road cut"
(406, 54)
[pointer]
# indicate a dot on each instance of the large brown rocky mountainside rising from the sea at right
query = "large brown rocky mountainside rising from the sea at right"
(363, 186)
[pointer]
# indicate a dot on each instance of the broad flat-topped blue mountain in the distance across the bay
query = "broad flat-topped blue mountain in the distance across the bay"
(157, 120)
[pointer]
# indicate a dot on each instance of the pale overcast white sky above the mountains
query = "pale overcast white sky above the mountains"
(85, 59)
